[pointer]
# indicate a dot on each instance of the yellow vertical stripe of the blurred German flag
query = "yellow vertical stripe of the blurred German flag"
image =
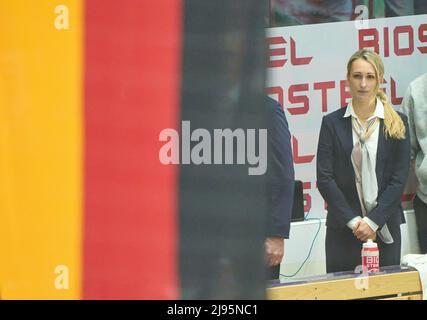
(40, 149)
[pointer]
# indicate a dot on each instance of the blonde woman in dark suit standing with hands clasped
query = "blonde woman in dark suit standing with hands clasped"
(362, 167)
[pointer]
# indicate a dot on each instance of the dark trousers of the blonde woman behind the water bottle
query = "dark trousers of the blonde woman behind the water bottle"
(343, 249)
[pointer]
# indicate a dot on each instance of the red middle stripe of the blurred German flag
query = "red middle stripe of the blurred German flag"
(132, 74)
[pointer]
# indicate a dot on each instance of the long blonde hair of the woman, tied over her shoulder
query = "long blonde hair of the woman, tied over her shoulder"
(393, 124)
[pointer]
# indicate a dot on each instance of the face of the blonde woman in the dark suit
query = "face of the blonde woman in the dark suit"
(362, 80)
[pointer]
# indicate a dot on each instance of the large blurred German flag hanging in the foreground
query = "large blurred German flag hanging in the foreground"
(87, 209)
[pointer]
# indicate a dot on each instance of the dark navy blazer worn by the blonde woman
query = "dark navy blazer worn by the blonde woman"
(335, 174)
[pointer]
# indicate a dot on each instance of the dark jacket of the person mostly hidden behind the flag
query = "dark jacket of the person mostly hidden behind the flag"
(280, 172)
